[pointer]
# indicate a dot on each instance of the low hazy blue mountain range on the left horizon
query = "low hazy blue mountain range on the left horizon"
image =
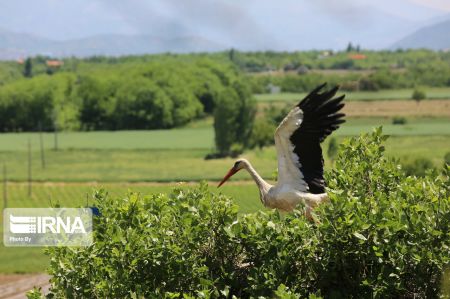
(18, 45)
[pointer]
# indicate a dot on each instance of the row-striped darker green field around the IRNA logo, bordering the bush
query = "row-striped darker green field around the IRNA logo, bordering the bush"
(19, 260)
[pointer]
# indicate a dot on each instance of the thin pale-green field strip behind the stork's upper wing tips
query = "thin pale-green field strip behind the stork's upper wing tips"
(390, 94)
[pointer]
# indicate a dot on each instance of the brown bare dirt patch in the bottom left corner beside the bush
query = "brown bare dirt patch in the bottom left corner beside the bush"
(15, 286)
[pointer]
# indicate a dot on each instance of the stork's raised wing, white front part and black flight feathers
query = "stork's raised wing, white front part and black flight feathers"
(298, 138)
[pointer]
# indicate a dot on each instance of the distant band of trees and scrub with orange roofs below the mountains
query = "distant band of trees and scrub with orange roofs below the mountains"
(385, 69)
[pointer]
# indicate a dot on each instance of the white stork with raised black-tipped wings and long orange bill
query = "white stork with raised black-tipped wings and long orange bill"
(300, 160)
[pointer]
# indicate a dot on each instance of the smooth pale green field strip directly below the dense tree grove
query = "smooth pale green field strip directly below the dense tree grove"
(199, 135)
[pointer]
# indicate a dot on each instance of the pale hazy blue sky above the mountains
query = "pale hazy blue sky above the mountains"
(252, 22)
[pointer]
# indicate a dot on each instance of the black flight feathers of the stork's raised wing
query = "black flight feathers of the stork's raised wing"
(320, 118)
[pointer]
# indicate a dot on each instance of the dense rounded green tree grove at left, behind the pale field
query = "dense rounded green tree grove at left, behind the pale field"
(151, 95)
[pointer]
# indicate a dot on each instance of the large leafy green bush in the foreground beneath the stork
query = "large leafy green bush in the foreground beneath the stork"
(382, 235)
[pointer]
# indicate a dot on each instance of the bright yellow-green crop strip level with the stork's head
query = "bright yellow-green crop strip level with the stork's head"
(183, 165)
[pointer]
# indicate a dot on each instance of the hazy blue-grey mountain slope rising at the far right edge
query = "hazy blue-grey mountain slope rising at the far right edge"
(436, 37)
